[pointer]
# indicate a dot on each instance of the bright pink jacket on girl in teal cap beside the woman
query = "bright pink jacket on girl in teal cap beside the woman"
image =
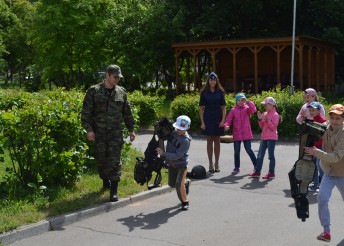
(239, 117)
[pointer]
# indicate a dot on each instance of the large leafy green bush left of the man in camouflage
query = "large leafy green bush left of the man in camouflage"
(45, 139)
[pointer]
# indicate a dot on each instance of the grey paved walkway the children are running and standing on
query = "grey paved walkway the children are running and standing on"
(224, 210)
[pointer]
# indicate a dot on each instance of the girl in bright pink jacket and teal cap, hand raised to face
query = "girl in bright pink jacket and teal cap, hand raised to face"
(239, 118)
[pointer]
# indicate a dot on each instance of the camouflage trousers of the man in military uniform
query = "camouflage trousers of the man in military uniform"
(108, 159)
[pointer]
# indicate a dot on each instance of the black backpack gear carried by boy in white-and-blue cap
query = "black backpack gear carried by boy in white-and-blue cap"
(151, 162)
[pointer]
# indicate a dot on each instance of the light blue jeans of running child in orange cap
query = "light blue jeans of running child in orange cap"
(326, 186)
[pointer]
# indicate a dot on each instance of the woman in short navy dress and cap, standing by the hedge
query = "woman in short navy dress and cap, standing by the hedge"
(212, 113)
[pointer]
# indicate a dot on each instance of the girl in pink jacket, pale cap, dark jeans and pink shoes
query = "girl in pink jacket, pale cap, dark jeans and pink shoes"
(268, 122)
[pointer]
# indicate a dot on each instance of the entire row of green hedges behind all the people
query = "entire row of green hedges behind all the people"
(42, 133)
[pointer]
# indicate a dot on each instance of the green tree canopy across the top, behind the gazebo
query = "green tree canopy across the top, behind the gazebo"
(70, 42)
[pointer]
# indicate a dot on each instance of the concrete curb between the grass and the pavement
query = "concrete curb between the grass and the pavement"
(56, 223)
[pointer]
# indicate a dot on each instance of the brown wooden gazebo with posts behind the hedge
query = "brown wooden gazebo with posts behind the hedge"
(253, 65)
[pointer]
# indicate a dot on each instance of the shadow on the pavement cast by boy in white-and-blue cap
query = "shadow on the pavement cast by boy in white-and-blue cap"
(150, 221)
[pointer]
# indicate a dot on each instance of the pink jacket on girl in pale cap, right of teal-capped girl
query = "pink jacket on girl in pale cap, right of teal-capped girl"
(269, 128)
